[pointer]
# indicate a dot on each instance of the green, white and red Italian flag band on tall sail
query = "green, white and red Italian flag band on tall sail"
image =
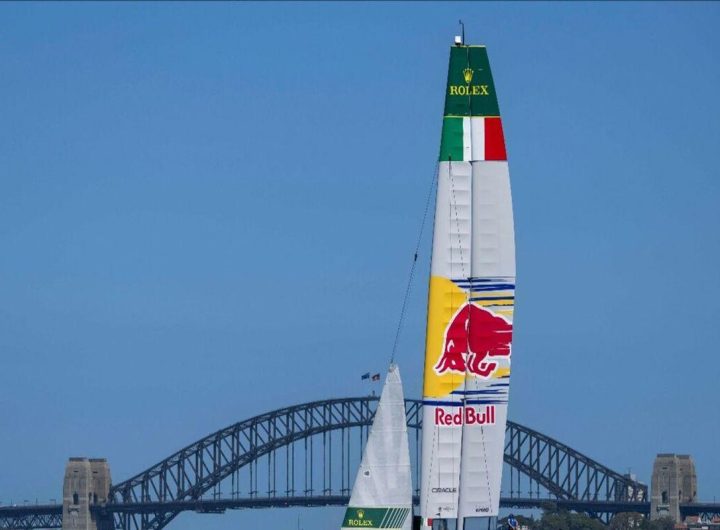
(470, 139)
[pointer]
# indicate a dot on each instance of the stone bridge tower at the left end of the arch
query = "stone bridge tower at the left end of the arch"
(87, 483)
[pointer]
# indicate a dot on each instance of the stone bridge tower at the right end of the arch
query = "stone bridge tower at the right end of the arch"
(673, 482)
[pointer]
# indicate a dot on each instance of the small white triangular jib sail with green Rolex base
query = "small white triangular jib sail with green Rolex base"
(382, 494)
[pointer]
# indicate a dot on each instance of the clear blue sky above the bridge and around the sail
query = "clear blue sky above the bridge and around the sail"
(209, 211)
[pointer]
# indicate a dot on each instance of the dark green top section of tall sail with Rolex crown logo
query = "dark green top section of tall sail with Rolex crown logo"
(470, 88)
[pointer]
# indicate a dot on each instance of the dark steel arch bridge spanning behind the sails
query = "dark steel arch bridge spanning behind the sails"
(306, 455)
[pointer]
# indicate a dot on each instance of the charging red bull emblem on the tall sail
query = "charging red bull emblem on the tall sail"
(474, 339)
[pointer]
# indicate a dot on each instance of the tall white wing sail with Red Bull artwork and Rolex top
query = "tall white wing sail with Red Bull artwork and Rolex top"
(470, 307)
